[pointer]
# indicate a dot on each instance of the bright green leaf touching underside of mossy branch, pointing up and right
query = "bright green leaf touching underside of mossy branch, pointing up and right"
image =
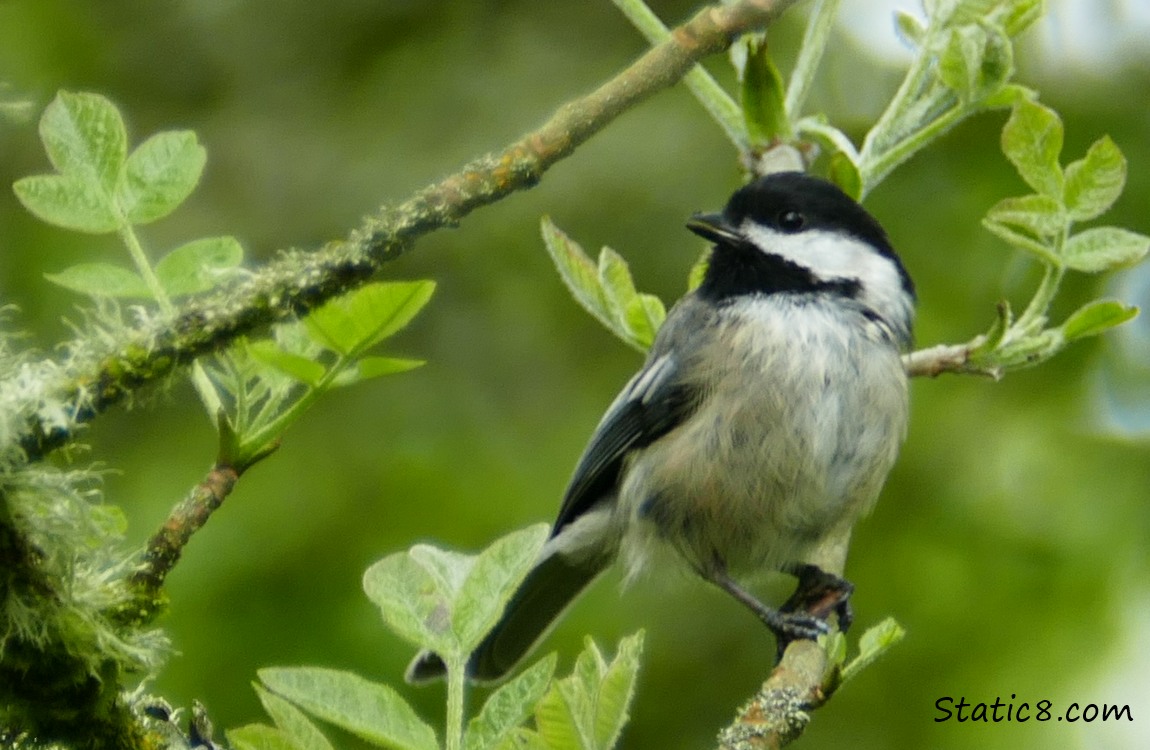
(355, 323)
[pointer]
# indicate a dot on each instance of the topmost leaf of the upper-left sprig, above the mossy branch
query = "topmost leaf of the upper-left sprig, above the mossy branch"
(86, 139)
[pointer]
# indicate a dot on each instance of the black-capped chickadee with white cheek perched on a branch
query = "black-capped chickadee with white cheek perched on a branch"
(763, 425)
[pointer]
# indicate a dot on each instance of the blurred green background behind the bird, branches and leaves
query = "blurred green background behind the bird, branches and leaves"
(1014, 538)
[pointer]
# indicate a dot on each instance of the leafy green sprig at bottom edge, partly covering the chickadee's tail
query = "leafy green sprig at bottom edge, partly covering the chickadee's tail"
(447, 602)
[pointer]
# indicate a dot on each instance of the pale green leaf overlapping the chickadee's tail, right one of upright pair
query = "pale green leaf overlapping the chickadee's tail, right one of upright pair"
(493, 580)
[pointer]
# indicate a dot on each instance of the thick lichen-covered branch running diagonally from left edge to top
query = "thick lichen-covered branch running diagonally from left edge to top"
(93, 380)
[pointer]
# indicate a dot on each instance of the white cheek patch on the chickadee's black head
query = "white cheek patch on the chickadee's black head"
(834, 257)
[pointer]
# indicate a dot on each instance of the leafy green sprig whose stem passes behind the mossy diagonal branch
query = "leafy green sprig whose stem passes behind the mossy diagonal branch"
(102, 188)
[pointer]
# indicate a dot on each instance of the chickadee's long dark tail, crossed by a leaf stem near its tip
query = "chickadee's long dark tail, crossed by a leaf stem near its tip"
(550, 588)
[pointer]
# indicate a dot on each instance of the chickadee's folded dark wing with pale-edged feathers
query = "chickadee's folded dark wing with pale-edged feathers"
(650, 405)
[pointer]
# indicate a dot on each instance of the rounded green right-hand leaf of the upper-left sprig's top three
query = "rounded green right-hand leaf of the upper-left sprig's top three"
(159, 175)
